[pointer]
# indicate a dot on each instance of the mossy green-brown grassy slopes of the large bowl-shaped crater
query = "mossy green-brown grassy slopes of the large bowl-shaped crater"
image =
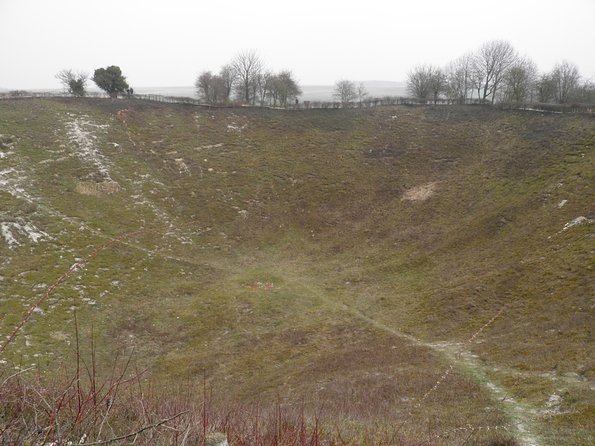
(313, 202)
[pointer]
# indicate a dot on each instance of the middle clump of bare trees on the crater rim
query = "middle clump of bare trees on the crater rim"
(247, 80)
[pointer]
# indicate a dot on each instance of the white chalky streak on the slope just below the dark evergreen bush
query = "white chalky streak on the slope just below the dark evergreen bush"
(81, 133)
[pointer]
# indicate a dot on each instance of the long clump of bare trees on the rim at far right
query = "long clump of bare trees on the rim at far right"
(496, 72)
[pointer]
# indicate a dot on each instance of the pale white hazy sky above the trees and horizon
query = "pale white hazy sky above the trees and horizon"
(167, 43)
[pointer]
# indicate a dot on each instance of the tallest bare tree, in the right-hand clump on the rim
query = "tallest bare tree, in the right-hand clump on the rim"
(490, 63)
